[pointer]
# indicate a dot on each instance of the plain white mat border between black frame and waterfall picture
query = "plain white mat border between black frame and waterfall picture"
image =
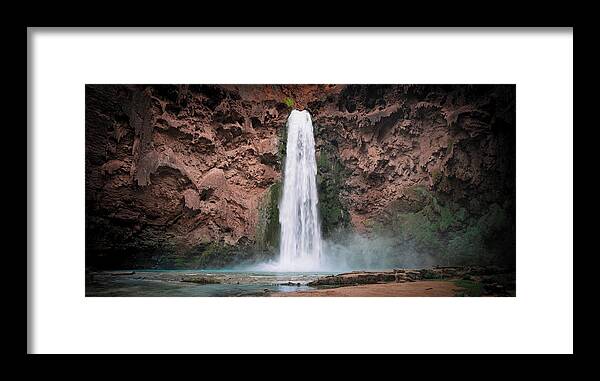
(539, 319)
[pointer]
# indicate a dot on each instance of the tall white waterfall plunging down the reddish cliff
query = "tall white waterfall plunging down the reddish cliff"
(300, 244)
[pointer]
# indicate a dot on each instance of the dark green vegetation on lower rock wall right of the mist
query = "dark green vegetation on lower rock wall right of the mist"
(447, 230)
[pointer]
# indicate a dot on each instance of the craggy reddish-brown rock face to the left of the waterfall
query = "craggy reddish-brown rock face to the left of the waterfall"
(172, 167)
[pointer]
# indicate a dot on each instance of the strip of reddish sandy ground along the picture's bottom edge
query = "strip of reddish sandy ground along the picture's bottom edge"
(419, 288)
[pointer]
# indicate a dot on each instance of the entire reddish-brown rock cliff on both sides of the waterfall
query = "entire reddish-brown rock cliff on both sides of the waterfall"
(180, 173)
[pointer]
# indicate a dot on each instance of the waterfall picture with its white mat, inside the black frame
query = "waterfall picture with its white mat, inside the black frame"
(283, 190)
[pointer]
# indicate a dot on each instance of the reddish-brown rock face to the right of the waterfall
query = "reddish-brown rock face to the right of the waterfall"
(433, 167)
